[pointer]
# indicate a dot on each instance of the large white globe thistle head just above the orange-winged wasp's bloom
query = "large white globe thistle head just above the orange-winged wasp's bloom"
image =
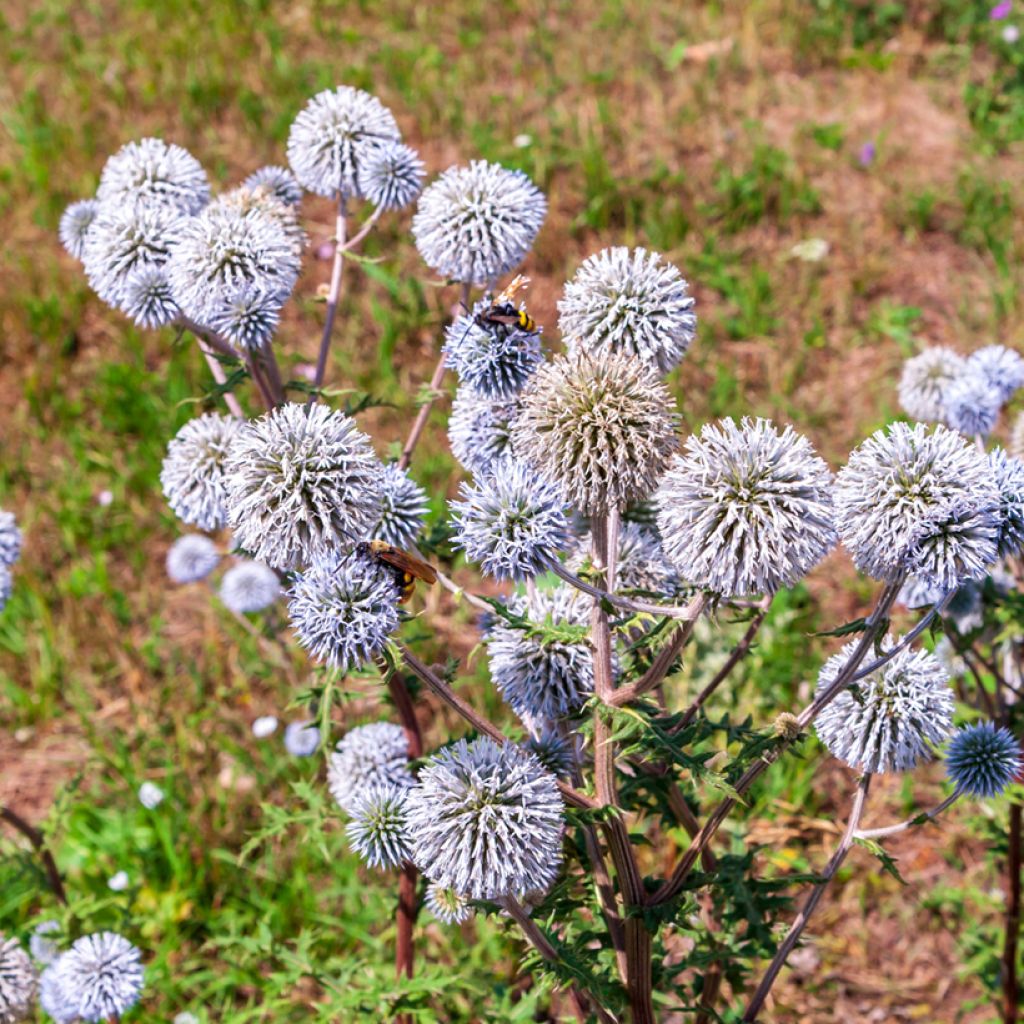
(303, 483)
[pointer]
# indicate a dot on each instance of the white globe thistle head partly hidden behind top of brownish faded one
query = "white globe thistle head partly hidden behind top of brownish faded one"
(629, 302)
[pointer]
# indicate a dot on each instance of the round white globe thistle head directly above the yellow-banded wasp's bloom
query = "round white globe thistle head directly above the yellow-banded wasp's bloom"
(476, 224)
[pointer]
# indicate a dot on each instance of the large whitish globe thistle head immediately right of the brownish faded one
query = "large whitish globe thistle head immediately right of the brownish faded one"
(746, 509)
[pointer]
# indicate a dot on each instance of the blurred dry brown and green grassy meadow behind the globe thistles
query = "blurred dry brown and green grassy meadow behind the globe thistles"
(731, 137)
